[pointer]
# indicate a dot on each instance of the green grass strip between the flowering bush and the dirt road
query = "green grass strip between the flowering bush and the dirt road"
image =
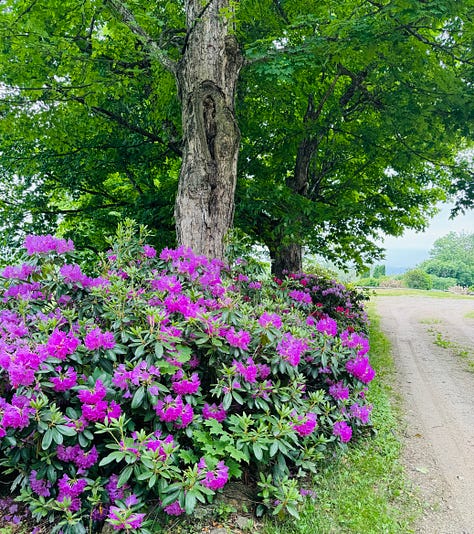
(364, 491)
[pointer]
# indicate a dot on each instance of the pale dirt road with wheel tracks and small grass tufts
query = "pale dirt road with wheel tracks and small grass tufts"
(433, 342)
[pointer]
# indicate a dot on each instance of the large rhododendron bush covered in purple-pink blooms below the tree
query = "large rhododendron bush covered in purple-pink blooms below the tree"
(164, 376)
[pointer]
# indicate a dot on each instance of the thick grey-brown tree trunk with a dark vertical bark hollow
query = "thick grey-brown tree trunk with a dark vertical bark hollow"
(207, 77)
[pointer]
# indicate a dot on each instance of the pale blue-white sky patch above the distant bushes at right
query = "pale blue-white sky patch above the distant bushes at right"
(412, 248)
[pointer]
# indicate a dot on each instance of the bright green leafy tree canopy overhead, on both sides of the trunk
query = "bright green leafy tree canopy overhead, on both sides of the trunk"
(351, 116)
